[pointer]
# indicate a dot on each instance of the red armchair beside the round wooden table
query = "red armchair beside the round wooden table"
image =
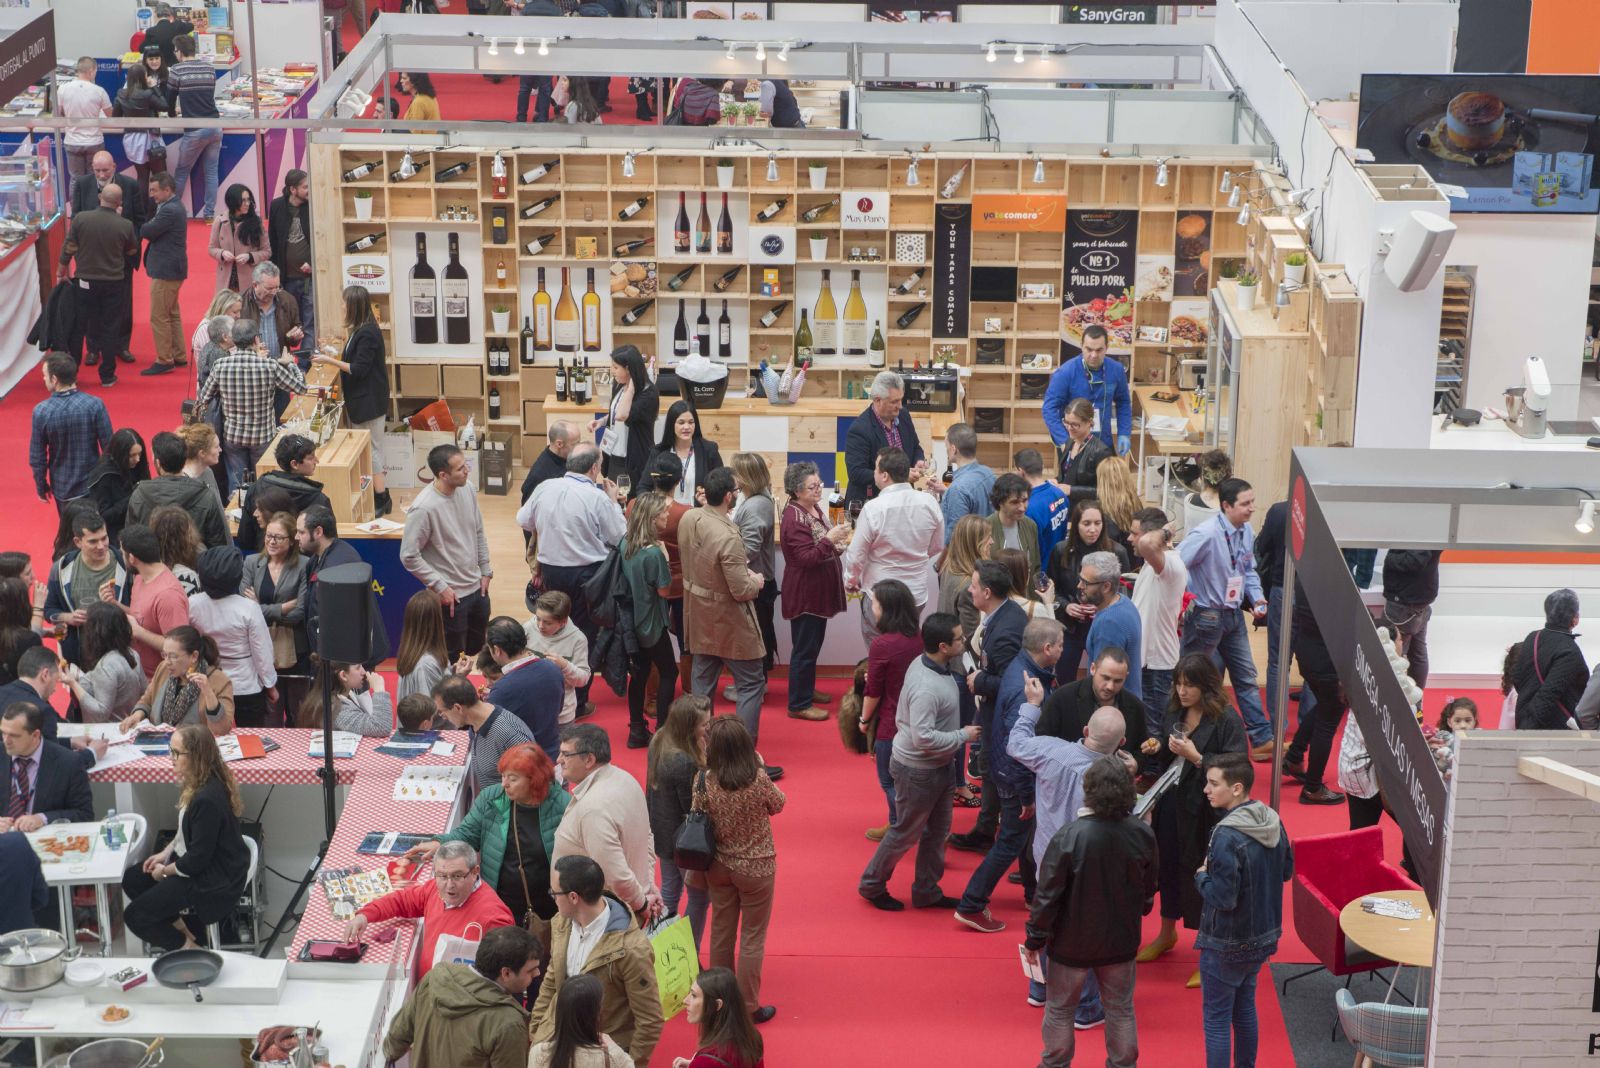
(1330, 872)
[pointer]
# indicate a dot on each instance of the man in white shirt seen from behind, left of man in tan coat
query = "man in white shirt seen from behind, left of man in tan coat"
(575, 520)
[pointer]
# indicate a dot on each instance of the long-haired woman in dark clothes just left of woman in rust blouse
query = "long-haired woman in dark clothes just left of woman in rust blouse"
(678, 755)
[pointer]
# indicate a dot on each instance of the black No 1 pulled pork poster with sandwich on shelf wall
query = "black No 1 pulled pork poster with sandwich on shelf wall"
(1097, 281)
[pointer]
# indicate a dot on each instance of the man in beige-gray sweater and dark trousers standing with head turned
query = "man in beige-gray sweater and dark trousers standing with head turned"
(446, 549)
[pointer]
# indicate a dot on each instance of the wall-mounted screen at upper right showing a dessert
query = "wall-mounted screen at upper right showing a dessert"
(1513, 143)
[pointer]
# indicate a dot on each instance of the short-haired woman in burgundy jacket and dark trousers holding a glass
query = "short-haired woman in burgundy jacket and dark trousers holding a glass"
(814, 588)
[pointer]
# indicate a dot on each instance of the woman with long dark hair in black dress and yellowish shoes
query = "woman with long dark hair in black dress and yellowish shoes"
(1201, 723)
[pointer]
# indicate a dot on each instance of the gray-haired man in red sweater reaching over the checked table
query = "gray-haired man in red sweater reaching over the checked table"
(455, 907)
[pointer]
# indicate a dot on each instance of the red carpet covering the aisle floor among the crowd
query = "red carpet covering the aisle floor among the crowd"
(852, 986)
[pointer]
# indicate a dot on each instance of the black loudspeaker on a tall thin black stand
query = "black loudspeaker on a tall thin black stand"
(345, 616)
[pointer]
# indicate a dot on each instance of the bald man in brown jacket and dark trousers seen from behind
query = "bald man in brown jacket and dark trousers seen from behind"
(102, 242)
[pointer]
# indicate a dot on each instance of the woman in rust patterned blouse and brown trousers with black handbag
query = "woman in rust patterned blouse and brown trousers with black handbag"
(740, 802)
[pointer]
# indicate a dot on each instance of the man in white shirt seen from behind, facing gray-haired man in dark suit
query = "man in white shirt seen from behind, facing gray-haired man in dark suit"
(898, 536)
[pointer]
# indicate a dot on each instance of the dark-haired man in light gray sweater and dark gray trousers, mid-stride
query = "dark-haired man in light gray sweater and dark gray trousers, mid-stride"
(926, 770)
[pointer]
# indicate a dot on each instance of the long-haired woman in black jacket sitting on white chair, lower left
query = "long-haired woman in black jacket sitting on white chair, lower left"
(199, 877)
